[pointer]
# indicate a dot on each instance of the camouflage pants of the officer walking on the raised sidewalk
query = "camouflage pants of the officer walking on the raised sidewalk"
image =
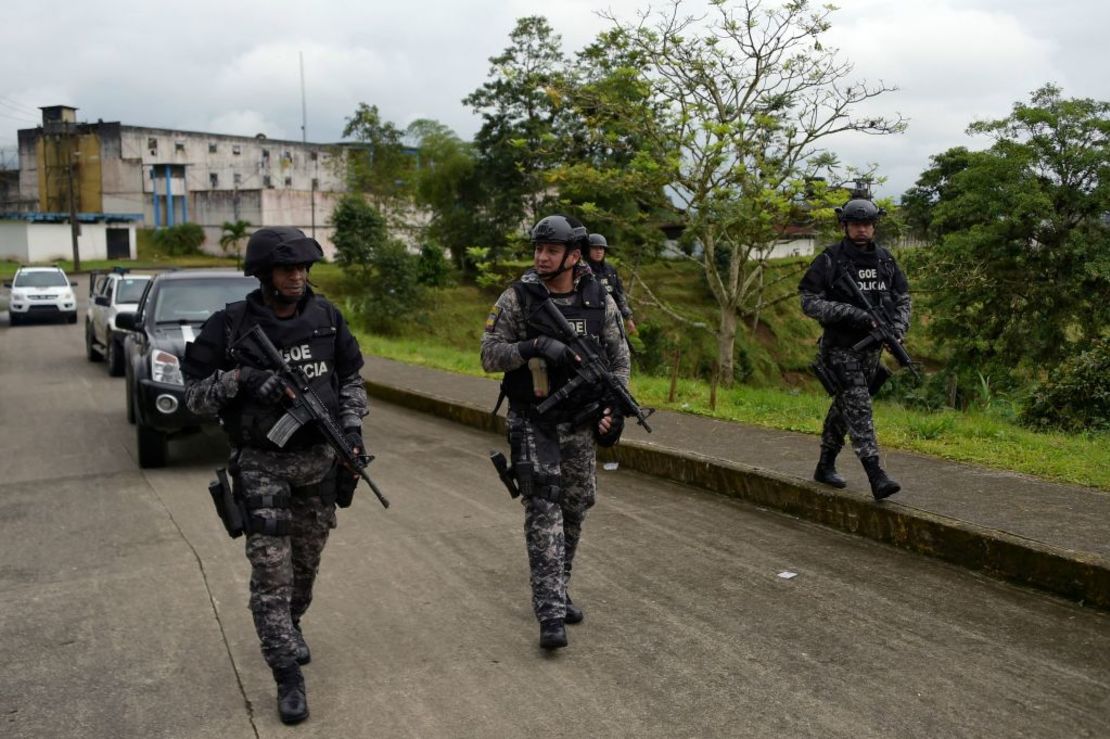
(851, 412)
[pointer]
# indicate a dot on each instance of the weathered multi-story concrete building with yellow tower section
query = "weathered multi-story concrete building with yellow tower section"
(163, 177)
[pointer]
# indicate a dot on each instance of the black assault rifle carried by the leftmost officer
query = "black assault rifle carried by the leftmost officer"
(306, 408)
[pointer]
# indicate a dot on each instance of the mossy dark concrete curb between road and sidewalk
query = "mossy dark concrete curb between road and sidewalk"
(1075, 575)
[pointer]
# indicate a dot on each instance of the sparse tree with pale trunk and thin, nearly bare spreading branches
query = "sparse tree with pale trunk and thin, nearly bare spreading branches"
(749, 96)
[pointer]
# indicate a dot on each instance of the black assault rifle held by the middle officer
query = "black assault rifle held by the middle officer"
(592, 371)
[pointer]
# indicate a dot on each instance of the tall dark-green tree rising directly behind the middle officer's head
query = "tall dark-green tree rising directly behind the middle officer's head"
(518, 143)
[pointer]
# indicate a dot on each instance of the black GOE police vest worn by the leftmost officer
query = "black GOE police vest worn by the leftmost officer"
(308, 342)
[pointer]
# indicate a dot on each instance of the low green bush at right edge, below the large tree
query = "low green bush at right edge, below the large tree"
(1076, 397)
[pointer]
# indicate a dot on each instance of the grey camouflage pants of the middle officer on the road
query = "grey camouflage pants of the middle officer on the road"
(552, 531)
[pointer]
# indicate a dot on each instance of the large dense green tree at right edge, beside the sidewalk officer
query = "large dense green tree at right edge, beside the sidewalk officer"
(1020, 278)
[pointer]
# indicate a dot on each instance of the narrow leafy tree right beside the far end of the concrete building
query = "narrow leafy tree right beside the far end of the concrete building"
(380, 167)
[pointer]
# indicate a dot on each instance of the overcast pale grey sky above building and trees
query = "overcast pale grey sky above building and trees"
(234, 67)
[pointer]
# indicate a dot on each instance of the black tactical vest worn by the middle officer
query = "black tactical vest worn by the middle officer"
(587, 315)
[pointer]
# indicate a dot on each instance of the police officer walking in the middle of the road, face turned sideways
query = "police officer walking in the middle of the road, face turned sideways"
(554, 455)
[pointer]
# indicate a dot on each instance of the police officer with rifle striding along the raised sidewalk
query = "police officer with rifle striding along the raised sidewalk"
(823, 298)
